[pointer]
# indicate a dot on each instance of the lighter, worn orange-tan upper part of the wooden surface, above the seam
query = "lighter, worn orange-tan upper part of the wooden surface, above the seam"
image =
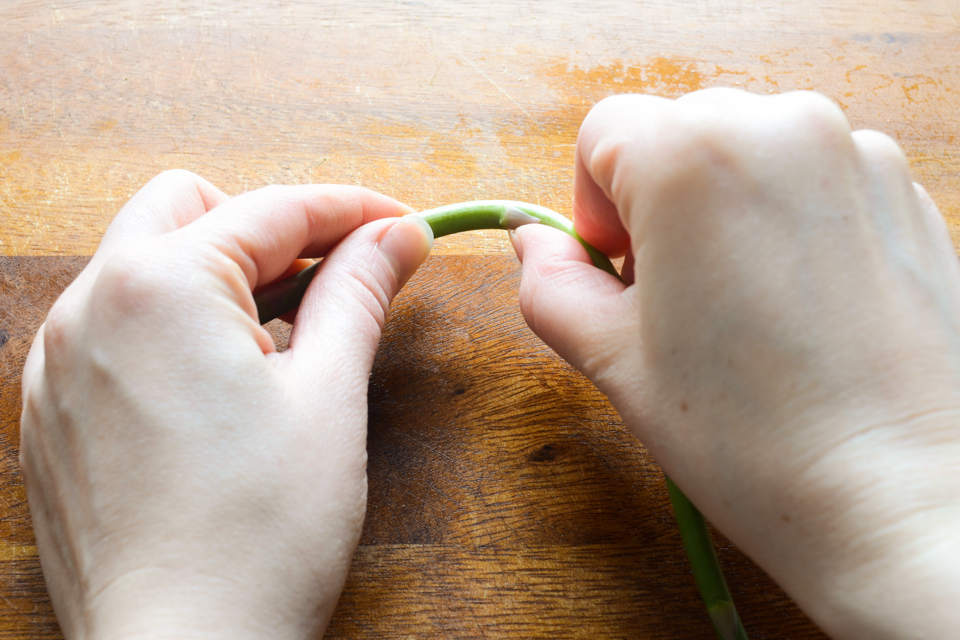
(430, 102)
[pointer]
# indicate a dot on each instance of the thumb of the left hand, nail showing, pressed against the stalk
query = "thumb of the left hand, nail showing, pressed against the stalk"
(343, 312)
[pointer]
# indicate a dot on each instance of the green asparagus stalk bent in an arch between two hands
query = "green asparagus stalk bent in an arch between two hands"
(285, 296)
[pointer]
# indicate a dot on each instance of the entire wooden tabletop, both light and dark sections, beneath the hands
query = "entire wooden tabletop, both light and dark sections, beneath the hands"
(506, 497)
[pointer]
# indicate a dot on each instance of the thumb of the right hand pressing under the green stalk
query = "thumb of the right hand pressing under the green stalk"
(577, 309)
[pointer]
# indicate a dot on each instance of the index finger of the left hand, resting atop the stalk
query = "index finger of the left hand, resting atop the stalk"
(264, 231)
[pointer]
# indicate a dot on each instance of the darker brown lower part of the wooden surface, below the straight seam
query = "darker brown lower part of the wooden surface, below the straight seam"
(506, 498)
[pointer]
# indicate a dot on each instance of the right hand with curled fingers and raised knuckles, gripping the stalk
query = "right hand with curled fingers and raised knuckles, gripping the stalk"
(786, 345)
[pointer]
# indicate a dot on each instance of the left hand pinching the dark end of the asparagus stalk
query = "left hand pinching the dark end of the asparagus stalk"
(185, 479)
